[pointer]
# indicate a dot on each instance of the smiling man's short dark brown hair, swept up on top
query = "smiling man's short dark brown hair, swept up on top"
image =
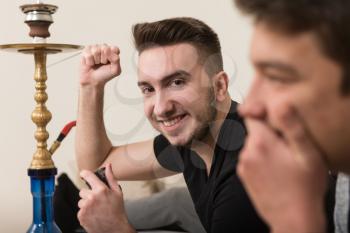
(182, 30)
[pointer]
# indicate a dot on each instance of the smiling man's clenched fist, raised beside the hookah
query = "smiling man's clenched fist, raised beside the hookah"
(99, 64)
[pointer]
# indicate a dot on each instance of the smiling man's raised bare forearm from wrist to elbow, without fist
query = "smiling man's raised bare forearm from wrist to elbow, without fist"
(92, 144)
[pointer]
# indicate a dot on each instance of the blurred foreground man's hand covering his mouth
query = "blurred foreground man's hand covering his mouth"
(284, 173)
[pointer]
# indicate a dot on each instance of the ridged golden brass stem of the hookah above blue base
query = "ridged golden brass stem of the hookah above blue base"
(41, 116)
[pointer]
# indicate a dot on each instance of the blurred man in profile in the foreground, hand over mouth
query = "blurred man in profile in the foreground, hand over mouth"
(298, 109)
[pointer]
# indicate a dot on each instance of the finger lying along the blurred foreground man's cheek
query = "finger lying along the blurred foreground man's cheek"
(297, 134)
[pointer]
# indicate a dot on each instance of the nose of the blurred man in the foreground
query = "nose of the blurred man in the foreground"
(253, 105)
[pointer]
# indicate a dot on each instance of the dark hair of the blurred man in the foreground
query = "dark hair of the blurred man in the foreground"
(329, 20)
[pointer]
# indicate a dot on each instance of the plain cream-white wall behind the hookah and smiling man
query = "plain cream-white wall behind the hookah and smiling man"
(85, 22)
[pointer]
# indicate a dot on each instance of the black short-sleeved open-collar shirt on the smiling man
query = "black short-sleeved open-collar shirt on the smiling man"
(220, 199)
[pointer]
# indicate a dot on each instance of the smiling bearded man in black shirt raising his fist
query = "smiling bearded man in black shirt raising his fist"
(184, 88)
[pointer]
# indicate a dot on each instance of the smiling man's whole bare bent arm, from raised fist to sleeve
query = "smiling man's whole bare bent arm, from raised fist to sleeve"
(100, 64)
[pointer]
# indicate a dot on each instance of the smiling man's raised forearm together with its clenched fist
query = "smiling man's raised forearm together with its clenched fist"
(99, 64)
